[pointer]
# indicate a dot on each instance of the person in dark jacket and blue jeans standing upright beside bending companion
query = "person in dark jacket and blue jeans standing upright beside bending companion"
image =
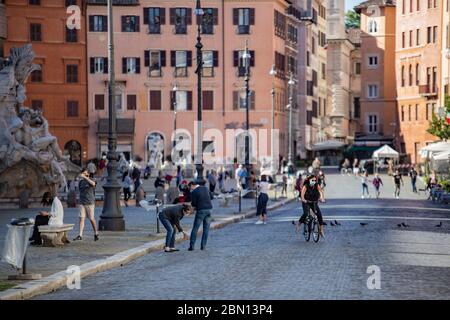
(201, 201)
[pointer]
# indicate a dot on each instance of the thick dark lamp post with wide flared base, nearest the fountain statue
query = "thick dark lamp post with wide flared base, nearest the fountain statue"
(111, 218)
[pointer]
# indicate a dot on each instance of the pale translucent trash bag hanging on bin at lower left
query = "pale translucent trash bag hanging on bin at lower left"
(16, 244)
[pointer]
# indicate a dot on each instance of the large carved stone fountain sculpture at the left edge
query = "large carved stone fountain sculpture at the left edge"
(31, 161)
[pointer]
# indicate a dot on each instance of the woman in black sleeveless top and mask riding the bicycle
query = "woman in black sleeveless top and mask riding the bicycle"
(310, 195)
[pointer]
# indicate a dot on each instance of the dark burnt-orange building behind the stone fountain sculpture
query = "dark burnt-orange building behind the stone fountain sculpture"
(60, 88)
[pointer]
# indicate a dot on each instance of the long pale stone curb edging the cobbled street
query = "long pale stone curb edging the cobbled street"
(57, 280)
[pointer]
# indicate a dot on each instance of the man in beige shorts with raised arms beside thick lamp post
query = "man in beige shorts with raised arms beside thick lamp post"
(86, 188)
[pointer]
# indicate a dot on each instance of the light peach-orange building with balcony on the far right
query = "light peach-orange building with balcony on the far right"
(418, 65)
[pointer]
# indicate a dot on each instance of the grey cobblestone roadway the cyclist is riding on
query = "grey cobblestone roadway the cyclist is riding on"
(247, 261)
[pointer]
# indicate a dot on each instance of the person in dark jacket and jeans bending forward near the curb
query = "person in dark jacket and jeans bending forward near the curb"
(170, 218)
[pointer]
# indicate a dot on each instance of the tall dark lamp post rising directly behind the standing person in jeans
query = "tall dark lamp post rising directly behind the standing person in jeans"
(199, 46)
